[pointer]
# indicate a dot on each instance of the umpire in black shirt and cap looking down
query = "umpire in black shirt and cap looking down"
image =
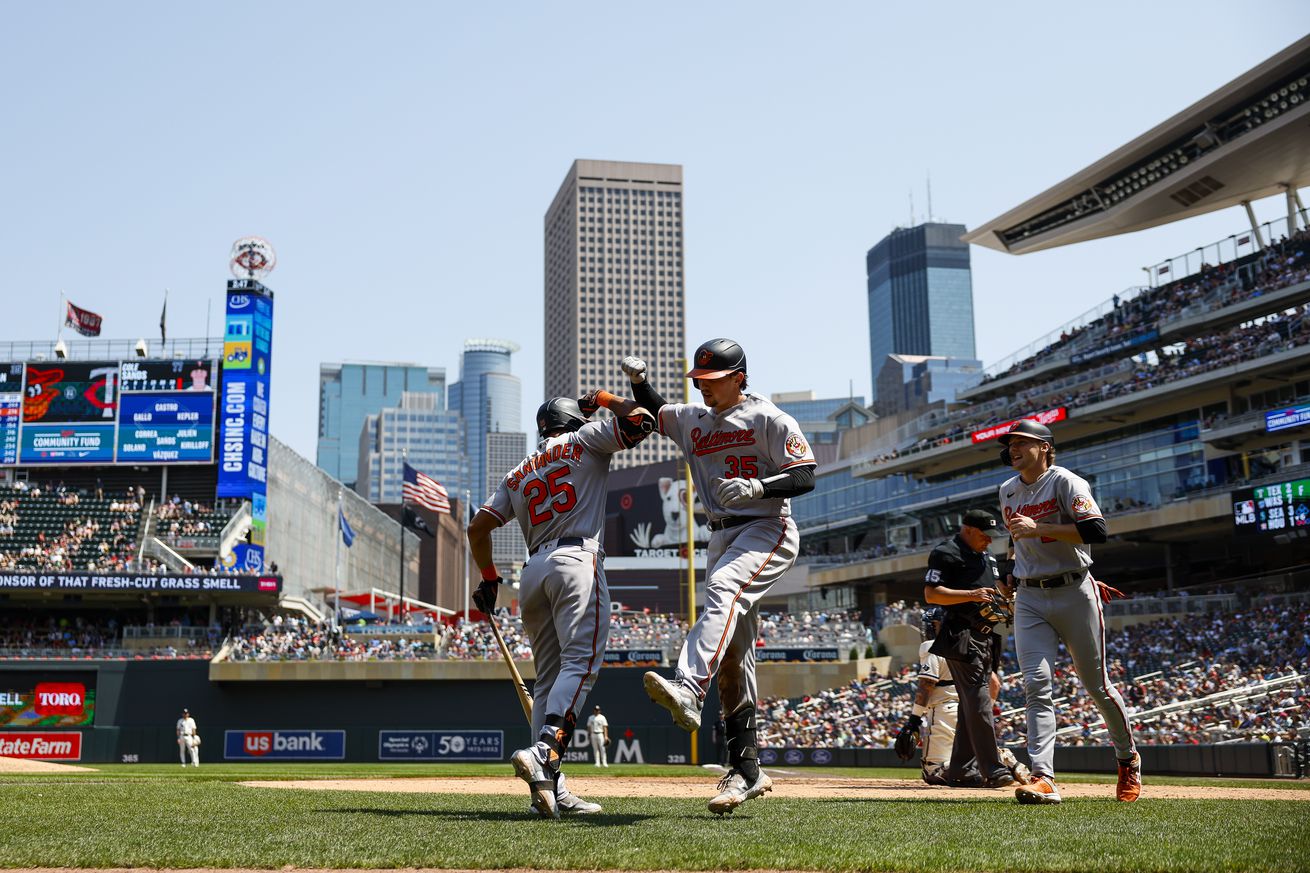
(962, 577)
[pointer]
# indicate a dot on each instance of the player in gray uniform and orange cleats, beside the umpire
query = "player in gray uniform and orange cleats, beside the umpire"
(1054, 520)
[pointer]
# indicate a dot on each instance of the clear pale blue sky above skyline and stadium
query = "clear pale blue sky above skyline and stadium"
(400, 159)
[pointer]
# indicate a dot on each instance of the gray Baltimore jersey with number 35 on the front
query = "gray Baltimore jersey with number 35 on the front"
(754, 440)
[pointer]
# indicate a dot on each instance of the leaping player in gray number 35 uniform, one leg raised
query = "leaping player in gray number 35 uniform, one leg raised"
(749, 459)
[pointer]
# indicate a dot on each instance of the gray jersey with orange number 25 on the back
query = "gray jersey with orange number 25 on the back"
(560, 490)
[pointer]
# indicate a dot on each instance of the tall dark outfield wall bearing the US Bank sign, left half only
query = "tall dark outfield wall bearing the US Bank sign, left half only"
(137, 706)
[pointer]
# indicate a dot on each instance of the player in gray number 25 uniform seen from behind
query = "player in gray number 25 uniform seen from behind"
(559, 496)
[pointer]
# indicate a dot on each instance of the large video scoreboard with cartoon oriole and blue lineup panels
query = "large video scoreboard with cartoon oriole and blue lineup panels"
(112, 412)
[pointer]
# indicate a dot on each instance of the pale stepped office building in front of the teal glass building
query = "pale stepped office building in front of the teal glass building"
(419, 432)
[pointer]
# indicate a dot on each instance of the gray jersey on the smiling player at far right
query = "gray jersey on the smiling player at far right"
(1060, 497)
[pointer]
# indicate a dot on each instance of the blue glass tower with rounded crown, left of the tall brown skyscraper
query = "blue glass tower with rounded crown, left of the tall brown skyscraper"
(491, 399)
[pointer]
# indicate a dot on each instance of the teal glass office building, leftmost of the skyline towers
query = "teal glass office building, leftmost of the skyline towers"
(352, 393)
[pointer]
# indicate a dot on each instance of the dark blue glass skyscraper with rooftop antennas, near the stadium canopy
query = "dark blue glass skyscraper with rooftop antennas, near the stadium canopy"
(920, 296)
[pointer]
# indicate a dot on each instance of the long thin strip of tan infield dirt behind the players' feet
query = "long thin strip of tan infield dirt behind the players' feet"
(797, 787)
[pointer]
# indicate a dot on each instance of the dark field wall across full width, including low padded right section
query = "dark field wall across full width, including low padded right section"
(137, 706)
